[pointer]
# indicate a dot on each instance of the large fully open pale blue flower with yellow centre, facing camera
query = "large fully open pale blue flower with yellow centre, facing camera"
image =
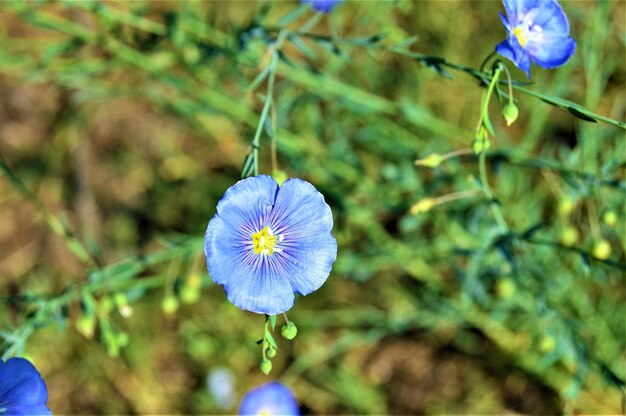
(265, 243)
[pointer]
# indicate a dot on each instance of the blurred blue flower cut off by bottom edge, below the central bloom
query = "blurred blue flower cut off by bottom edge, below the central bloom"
(269, 399)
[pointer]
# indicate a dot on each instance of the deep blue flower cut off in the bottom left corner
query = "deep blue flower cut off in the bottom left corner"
(22, 390)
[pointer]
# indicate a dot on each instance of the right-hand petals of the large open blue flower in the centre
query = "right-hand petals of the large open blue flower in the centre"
(309, 248)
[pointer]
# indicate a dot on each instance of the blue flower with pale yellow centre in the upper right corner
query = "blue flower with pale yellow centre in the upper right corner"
(538, 31)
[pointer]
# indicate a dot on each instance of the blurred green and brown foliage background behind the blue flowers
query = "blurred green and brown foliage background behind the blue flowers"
(123, 123)
